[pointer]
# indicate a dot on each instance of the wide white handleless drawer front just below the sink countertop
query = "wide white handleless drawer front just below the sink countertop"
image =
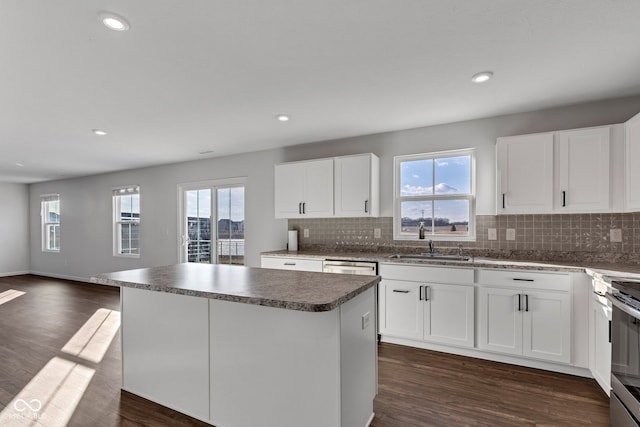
(419, 273)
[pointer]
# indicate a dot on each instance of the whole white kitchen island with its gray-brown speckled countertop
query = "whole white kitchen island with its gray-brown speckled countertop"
(238, 346)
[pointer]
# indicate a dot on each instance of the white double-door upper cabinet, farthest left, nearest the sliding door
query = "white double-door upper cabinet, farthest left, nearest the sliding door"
(304, 189)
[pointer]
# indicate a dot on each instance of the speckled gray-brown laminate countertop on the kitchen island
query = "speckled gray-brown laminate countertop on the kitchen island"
(291, 290)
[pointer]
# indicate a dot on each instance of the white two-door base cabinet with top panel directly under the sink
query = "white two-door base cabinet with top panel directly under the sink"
(424, 309)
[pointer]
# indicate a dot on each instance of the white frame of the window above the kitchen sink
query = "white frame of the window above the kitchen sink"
(471, 196)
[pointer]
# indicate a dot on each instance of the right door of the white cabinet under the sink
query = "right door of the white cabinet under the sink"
(449, 314)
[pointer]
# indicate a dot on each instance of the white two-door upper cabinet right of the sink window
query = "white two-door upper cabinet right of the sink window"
(555, 172)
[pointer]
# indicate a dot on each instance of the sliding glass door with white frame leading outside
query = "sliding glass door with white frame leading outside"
(212, 222)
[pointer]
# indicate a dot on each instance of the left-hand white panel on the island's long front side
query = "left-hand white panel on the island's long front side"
(165, 349)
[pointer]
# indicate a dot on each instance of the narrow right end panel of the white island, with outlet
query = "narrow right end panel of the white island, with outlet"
(359, 362)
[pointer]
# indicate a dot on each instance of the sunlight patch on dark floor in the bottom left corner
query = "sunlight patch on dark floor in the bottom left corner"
(50, 398)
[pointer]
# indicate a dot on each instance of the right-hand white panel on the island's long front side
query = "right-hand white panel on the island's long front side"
(274, 367)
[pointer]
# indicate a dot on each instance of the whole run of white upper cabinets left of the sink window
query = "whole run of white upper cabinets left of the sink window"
(311, 189)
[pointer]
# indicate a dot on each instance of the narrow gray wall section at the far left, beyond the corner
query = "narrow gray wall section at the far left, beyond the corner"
(14, 229)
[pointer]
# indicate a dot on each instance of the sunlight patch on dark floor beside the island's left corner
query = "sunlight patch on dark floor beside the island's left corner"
(93, 339)
